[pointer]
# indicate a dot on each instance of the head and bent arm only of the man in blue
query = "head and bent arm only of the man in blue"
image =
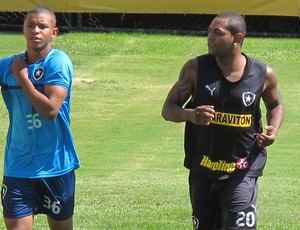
(39, 30)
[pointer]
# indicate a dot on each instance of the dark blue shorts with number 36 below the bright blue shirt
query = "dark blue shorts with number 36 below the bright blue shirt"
(53, 196)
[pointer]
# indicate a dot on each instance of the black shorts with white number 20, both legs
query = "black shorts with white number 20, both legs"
(228, 204)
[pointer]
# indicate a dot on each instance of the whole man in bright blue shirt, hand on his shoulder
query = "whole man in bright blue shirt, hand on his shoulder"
(40, 157)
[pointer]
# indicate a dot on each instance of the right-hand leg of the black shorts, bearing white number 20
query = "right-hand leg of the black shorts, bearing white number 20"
(238, 199)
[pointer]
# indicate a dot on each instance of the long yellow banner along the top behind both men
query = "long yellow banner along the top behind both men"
(244, 7)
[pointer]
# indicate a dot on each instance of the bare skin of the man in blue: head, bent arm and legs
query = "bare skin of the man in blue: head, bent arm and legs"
(39, 29)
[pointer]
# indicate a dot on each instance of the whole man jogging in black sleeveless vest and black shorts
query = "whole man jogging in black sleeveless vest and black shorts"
(225, 143)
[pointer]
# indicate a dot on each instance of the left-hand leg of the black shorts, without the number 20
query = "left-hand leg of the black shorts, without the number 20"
(204, 202)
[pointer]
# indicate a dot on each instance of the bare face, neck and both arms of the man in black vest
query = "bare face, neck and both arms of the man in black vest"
(227, 50)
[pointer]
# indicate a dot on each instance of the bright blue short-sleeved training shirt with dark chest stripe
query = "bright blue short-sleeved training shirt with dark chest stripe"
(37, 147)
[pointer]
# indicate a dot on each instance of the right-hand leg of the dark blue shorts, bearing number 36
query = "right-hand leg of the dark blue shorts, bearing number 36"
(57, 196)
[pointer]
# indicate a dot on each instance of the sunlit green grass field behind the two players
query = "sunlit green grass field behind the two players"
(132, 175)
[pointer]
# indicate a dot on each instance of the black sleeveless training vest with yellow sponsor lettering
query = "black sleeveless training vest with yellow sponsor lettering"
(227, 146)
